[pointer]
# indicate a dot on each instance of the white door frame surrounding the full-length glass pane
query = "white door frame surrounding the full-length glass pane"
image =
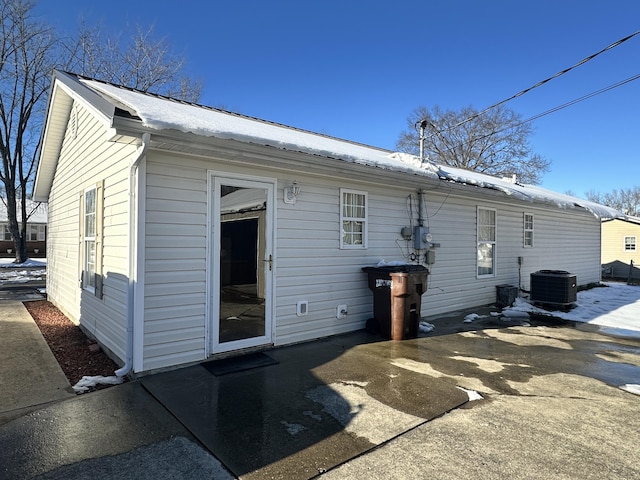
(212, 326)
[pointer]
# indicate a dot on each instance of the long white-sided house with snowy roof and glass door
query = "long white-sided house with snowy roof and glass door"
(178, 232)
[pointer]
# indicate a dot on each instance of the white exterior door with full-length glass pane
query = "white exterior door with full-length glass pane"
(241, 262)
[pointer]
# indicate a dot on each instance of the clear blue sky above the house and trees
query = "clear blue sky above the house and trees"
(356, 69)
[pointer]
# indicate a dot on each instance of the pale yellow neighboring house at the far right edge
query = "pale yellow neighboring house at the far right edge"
(621, 248)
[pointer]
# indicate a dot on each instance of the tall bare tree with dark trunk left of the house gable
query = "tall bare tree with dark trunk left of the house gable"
(26, 55)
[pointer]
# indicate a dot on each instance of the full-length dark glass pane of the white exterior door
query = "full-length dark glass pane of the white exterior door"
(243, 264)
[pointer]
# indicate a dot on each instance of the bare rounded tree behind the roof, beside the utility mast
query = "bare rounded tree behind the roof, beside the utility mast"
(495, 142)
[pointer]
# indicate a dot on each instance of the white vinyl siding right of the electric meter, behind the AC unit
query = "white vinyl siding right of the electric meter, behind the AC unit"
(565, 240)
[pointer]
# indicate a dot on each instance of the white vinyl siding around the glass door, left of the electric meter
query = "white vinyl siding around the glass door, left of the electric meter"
(175, 278)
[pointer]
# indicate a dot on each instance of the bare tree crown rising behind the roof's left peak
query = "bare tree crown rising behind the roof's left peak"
(139, 61)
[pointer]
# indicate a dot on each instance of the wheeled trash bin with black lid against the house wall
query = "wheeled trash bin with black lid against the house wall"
(397, 299)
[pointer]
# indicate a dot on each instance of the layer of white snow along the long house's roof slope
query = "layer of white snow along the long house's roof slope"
(160, 113)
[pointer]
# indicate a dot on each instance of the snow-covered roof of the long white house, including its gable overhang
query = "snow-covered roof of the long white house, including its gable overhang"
(161, 115)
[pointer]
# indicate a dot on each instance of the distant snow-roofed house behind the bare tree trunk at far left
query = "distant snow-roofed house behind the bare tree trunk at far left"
(36, 230)
